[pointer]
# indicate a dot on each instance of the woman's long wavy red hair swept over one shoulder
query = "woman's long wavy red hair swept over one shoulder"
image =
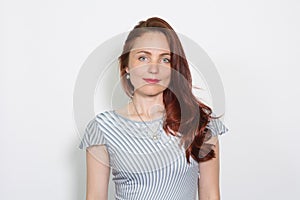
(185, 114)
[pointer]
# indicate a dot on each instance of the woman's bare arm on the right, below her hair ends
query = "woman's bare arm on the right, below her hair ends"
(208, 185)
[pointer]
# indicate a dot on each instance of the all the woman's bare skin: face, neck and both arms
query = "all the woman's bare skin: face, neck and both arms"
(149, 58)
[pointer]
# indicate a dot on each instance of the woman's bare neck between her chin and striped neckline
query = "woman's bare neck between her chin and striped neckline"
(148, 107)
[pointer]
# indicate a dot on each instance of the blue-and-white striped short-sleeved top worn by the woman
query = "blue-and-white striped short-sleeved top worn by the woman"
(146, 163)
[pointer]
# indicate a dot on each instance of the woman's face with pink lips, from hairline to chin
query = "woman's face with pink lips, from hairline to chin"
(149, 64)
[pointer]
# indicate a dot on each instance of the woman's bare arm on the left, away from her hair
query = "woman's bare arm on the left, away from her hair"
(98, 171)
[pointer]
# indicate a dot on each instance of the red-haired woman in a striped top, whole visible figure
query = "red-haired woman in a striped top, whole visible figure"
(162, 144)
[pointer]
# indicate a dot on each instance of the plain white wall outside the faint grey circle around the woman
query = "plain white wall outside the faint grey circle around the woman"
(254, 45)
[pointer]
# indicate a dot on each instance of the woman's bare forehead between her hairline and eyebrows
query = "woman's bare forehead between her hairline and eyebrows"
(151, 40)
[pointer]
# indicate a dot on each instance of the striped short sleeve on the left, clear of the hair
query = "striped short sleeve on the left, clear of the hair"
(93, 135)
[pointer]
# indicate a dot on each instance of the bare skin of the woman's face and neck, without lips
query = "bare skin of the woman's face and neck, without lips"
(149, 58)
